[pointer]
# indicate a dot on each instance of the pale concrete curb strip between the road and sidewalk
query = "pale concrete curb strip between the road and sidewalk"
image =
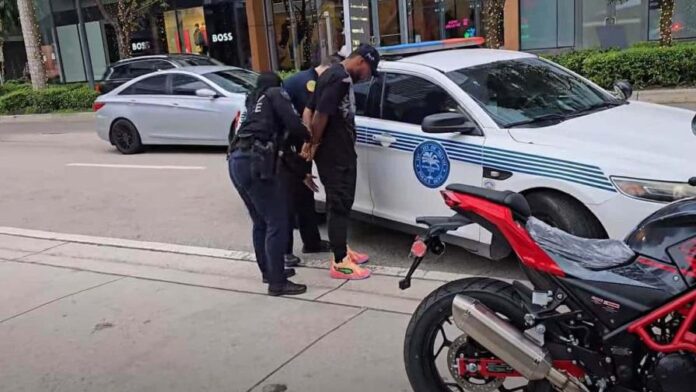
(207, 252)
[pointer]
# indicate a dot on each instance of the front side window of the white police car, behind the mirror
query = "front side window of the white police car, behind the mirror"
(410, 99)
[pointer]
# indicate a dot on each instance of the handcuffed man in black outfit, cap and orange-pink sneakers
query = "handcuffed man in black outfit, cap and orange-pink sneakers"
(333, 149)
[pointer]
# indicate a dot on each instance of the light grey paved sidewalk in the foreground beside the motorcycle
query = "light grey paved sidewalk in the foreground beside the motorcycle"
(86, 317)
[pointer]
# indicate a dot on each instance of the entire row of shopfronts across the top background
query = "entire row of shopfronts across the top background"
(293, 34)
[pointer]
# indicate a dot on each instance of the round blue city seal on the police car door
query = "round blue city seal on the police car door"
(431, 164)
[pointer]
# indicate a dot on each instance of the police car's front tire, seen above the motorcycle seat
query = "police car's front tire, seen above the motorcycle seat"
(566, 213)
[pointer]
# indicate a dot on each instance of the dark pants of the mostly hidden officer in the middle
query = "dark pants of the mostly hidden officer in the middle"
(302, 211)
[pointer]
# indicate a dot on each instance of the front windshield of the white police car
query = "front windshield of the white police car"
(530, 91)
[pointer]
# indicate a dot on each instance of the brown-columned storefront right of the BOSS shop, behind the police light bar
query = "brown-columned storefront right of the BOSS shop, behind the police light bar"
(302, 31)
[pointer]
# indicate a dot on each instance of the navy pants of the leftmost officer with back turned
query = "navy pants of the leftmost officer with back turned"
(266, 201)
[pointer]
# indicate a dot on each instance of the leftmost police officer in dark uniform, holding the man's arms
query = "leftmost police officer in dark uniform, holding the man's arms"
(271, 123)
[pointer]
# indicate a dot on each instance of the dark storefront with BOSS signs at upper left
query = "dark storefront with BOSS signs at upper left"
(217, 28)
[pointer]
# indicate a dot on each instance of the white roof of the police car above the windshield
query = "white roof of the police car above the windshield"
(450, 60)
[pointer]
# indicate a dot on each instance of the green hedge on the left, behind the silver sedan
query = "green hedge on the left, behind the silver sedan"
(52, 99)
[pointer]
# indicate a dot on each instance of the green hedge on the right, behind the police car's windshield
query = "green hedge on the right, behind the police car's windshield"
(644, 66)
